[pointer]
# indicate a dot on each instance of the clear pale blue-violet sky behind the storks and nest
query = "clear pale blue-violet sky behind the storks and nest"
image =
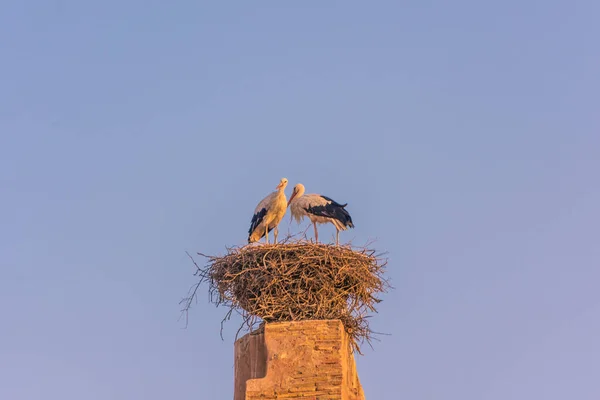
(464, 135)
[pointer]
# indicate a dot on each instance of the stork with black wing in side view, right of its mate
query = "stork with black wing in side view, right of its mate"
(320, 209)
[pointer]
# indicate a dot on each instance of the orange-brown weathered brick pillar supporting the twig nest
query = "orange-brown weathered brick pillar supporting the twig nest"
(291, 360)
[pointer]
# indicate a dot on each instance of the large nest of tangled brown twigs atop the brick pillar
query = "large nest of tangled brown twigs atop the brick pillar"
(296, 281)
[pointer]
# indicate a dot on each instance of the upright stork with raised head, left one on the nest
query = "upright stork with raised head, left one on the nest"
(268, 214)
